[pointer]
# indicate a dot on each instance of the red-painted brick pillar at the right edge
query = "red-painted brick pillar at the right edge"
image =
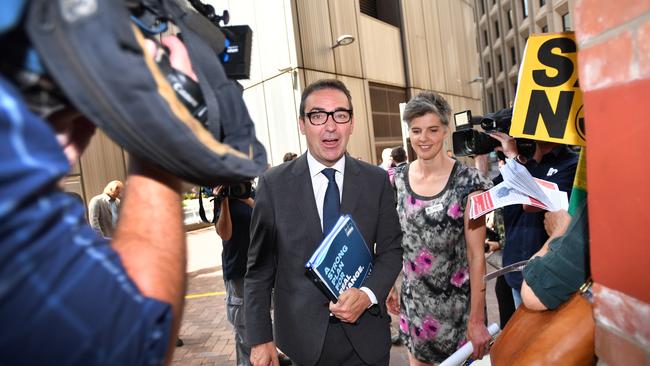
(614, 62)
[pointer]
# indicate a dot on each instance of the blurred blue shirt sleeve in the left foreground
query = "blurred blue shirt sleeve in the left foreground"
(65, 297)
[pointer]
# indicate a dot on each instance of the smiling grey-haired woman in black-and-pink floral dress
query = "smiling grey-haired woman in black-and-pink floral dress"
(442, 299)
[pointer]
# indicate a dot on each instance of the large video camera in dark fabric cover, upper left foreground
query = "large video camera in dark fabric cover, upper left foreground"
(94, 57)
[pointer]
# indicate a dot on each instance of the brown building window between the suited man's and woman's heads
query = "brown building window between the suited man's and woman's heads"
(384, 104)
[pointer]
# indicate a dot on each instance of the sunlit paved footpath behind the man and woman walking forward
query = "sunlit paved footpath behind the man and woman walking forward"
(205, 330)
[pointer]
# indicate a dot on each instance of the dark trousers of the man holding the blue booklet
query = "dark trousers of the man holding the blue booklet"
(337, 350)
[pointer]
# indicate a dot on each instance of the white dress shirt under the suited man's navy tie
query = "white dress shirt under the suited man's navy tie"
(319, 183)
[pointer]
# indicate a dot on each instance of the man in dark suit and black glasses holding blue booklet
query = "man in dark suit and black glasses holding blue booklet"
(290, 218)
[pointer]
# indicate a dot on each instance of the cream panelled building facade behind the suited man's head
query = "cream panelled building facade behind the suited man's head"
(400, 48)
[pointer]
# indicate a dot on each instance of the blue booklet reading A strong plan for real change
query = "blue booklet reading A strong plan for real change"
(341, 261)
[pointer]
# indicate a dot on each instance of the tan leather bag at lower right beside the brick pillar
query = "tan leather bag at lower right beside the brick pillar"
(564, 336)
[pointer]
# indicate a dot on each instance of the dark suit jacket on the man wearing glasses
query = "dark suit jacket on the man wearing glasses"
(285, 231)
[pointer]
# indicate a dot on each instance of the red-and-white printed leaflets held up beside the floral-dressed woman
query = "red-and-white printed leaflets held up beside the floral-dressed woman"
(518, 187)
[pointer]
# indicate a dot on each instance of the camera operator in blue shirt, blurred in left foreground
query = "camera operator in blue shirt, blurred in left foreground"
(113, 302)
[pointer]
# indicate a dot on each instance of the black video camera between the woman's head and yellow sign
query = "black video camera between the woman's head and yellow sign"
(468, 142)
